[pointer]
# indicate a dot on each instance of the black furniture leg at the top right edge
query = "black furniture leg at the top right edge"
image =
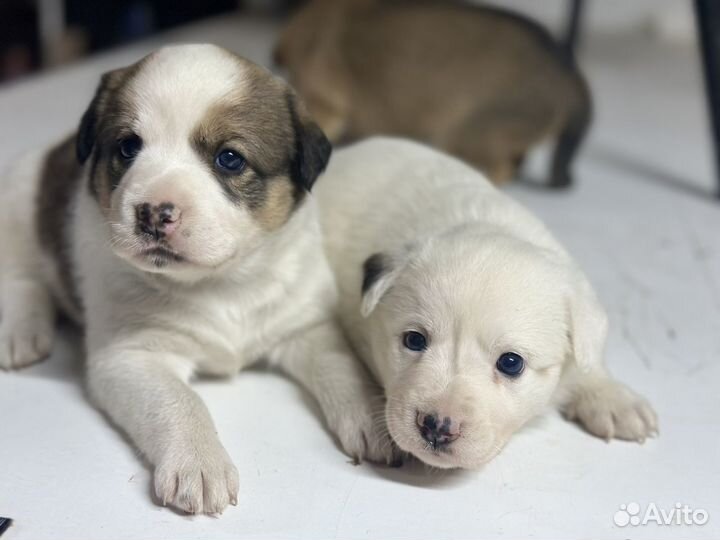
(707, 16)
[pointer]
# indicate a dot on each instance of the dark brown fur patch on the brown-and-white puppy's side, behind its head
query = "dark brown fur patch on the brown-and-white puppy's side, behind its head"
(59, 181)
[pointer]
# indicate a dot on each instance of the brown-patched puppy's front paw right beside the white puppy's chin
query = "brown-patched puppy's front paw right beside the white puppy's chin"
(363, 433)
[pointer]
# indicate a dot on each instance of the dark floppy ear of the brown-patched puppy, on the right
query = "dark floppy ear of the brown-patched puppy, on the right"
(312, 149)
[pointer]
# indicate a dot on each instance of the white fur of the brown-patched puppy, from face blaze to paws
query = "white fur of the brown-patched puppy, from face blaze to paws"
(242, 295)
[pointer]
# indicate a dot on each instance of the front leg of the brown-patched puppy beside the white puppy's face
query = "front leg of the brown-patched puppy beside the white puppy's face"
(353, 404)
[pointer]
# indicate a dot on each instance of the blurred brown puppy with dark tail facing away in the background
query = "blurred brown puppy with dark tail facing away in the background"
(481, 83)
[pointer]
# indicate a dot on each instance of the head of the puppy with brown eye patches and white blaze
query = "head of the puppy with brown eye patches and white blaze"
(195, 157)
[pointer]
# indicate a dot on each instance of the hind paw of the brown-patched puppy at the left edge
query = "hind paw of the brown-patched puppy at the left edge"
(24, 343)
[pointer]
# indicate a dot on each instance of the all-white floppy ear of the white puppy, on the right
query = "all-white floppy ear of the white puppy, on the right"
(588, 325)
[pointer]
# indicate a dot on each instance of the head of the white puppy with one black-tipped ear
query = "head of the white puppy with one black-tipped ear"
(469, 336)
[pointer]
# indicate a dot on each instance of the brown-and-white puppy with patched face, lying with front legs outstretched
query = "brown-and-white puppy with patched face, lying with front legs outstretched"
(177, 226)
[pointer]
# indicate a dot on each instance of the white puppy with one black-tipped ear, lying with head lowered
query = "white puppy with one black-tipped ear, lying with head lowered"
(464, 307)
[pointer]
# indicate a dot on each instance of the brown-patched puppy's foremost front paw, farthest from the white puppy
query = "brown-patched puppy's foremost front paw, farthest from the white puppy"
(197, 480)
